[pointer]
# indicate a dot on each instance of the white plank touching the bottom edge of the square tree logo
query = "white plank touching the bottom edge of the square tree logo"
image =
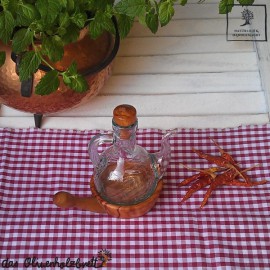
(176, 45)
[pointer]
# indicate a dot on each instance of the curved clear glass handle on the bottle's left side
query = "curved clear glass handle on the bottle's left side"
(93, 146)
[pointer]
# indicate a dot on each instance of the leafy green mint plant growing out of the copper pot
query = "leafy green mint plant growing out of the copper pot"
(39, 30)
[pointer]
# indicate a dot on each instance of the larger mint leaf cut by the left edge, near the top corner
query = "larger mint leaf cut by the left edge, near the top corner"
(7, 23)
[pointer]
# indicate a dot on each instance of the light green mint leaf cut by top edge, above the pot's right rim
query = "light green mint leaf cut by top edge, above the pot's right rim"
(131, 8)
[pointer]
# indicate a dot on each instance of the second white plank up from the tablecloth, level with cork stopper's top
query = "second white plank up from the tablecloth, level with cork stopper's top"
(168, 105)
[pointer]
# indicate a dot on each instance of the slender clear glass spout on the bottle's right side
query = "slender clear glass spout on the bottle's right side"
(163, 157)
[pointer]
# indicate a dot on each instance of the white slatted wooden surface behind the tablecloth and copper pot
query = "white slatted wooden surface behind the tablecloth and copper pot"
(187, 75)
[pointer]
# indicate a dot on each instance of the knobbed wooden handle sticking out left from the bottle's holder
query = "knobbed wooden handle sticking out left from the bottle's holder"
(66, 200)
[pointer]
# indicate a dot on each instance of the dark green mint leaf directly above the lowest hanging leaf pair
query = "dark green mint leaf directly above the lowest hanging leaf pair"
(53, 47)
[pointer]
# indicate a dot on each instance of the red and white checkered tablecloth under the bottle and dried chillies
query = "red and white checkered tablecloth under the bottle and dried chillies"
(231, 232)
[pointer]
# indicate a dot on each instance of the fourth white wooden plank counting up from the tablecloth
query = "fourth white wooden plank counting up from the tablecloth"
(186, 63)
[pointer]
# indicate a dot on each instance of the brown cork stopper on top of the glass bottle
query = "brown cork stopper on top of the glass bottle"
(124, 115)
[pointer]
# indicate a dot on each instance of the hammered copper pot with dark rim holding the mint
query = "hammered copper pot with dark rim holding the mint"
(96, 67)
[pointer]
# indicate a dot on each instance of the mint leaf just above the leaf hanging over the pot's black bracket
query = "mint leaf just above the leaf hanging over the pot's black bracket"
(22, 39)
